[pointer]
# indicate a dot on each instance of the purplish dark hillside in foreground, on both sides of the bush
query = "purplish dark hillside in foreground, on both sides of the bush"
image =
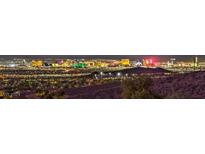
(181, 86)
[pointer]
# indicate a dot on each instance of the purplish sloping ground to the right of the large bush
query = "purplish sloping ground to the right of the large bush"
(190, 85)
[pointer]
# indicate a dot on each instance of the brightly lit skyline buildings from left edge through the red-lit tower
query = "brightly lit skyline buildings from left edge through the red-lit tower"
(76, 63)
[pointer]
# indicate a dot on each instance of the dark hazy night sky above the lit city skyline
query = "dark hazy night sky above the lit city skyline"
(132, 57)
